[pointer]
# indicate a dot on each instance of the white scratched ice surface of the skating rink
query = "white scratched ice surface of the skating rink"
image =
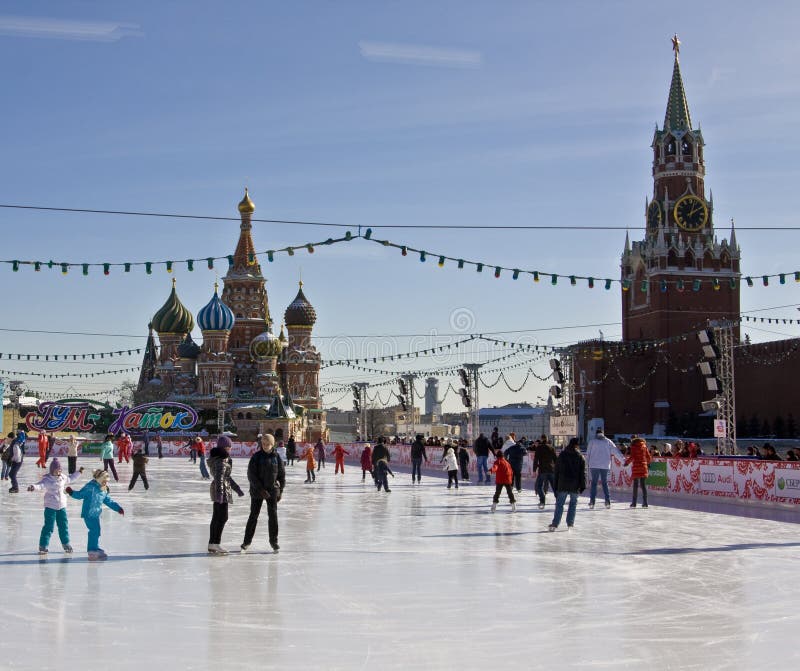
(421, 577)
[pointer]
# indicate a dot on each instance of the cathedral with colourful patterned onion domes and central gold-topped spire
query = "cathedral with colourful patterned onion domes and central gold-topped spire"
(266, 382)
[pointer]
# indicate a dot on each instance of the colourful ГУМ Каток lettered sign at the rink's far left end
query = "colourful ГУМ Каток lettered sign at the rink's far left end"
(81, 416)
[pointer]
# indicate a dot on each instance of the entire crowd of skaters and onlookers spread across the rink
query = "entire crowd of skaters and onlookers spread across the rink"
(565, 474)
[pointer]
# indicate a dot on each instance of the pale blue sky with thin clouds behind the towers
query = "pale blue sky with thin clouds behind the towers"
(373, 115)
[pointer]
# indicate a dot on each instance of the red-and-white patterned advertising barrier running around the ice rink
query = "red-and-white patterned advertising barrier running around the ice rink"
(725, 479)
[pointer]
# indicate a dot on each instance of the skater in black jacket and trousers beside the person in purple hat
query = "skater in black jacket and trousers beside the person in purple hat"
(267, 478)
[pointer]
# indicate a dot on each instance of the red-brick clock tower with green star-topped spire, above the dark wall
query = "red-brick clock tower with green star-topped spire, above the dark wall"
(681, 274)
